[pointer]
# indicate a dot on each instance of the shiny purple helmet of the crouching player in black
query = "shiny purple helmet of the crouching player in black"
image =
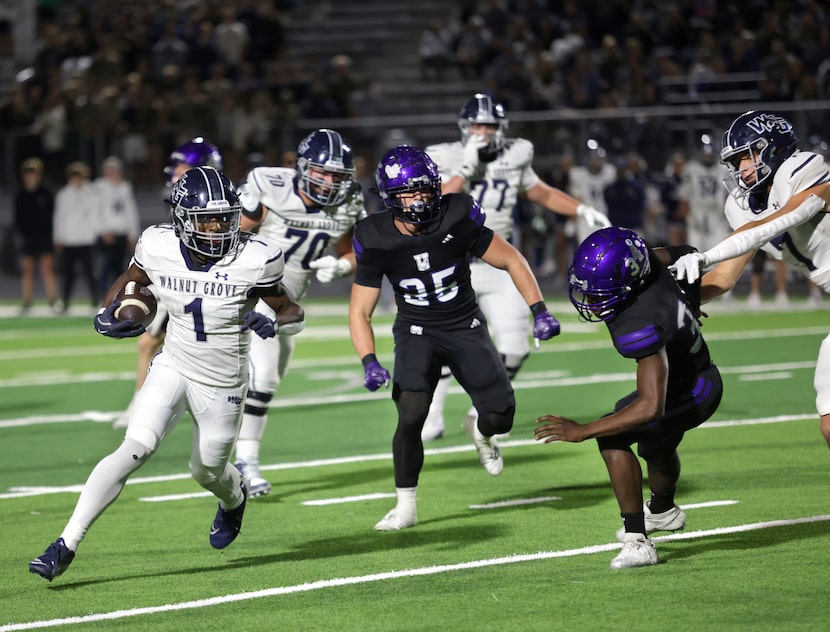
(607, 267)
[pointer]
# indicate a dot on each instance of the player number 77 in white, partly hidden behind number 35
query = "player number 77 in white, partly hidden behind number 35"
(495, 170)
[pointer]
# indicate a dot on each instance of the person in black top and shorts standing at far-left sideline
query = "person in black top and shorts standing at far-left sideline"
(34, 207)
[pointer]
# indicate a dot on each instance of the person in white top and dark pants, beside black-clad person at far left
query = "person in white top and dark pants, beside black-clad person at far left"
(76, 221)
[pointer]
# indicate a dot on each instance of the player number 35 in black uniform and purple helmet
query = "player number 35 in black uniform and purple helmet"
(423, 247)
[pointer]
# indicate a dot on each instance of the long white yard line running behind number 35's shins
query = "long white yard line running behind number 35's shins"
(19, 492)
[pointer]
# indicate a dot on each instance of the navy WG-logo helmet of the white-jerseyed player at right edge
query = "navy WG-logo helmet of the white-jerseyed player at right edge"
(769, 139)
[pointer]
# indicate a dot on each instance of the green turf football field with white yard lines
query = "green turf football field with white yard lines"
(527, 550)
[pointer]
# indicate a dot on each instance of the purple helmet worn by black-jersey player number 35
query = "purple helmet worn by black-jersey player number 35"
(406, 170)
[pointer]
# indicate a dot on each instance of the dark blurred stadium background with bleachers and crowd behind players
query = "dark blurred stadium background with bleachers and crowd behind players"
(630, 90)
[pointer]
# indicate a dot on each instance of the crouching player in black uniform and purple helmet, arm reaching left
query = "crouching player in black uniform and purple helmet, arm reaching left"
(615, 278)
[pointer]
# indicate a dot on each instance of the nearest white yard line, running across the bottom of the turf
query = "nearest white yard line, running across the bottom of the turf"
(376, 577)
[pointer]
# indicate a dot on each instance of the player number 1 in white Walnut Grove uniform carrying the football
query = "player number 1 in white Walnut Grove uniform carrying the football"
(209, 276)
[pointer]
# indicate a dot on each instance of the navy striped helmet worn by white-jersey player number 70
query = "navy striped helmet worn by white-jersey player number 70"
(324, 150)
